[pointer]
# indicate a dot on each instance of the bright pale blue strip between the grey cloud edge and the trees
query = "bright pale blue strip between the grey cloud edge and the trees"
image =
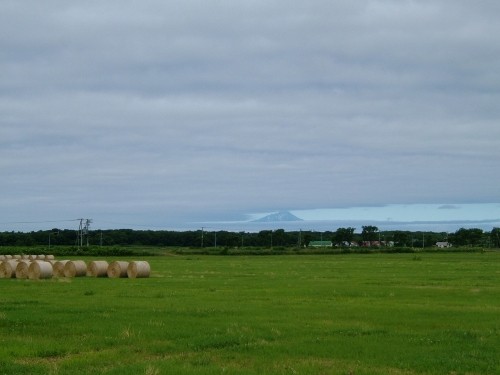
(410, 217)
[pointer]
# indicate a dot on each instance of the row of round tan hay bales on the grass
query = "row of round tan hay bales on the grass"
(46, 269)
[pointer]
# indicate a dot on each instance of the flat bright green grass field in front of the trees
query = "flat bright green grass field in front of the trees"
(342, 314)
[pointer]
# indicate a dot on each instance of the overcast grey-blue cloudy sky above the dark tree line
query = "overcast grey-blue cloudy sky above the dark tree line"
(165, 115)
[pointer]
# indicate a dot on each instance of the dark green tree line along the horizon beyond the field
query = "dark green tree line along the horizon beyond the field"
(343, 237)
